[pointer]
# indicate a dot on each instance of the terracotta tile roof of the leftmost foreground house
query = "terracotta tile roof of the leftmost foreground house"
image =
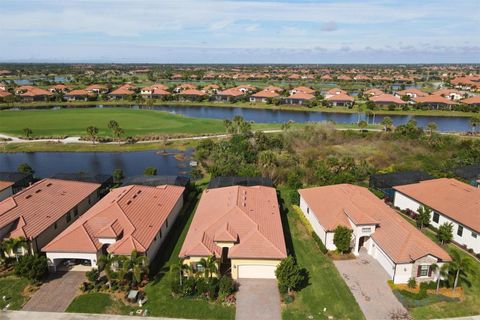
(40, 205)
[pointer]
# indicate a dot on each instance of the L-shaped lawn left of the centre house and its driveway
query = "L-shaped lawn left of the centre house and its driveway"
(160, 300)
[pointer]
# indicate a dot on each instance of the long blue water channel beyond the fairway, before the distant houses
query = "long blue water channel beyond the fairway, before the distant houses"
(444, 123)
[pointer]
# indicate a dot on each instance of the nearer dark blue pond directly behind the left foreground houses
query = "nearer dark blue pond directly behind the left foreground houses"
(47, 164)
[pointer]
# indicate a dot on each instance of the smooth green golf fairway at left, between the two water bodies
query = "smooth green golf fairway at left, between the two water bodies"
(73, 122)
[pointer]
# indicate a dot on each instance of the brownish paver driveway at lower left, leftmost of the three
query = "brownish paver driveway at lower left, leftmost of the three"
(56, 293)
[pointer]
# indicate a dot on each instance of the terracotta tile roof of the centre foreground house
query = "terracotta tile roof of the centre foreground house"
(250, 216)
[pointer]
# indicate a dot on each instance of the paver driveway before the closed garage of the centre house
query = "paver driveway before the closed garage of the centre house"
(258, 299)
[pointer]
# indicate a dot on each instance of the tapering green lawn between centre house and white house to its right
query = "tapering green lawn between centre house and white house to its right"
(327, 288)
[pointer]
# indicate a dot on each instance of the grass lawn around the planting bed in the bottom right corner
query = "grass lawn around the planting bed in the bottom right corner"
(469, 306)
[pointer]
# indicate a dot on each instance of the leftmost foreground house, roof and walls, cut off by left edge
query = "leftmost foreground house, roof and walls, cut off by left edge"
(40, 212)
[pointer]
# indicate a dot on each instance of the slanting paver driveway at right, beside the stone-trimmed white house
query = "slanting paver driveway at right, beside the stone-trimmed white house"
(367, 280)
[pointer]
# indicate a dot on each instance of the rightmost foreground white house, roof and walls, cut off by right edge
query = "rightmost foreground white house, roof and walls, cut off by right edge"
(451, 201)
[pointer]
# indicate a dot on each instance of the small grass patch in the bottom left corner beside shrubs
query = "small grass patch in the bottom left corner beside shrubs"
(13, 288)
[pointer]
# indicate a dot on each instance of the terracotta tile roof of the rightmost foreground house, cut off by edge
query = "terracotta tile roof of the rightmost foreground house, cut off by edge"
(453, 198)
